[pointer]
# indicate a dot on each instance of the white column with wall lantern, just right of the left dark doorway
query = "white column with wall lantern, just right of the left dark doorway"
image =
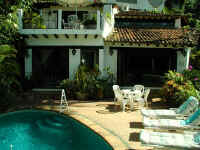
(74, 62)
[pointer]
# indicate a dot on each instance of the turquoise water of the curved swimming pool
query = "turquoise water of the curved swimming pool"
(45, 130)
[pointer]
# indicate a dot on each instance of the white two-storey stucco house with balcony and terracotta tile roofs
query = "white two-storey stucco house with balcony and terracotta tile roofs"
(135, 43)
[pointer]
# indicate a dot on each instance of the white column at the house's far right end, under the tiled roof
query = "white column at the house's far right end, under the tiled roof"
(183, 59)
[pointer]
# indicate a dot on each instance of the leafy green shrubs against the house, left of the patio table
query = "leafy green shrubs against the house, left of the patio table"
(89, 81)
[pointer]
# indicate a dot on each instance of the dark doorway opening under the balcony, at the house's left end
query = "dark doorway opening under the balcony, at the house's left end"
(50, 66)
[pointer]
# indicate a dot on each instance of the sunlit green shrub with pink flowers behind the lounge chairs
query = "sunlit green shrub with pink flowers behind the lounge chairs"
(177, 88)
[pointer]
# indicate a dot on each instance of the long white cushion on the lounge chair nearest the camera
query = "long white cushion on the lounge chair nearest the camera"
(168, 139)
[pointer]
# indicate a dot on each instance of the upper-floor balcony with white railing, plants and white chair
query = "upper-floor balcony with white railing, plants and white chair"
(61, 22)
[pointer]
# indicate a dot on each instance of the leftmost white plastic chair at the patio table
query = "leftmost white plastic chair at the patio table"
(120, 97)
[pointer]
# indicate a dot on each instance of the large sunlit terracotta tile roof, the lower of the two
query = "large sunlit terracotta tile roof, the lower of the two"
(158, 37)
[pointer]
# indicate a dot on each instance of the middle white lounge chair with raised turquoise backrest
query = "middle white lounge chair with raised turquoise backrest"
(190, 123)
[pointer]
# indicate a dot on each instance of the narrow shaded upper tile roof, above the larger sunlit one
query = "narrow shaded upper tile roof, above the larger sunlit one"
(146, 15)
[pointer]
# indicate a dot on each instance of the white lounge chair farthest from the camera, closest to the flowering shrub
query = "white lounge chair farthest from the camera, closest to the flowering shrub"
(188, 107)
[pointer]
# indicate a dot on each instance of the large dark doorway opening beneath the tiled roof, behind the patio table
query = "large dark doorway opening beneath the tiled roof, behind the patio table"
(144, 65)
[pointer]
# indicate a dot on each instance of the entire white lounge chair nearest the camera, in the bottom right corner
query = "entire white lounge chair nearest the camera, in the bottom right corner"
(176, 141)
